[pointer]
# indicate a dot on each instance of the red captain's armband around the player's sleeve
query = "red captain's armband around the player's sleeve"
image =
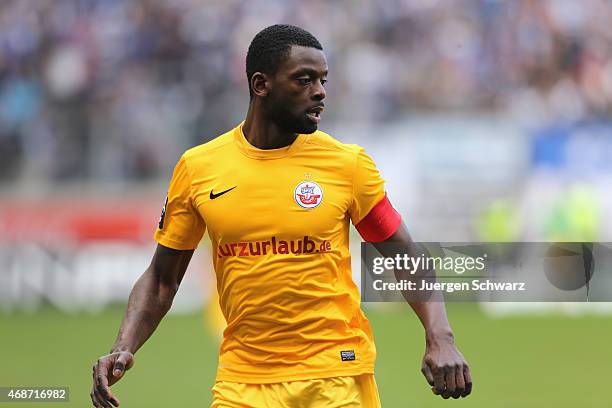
(381, 222)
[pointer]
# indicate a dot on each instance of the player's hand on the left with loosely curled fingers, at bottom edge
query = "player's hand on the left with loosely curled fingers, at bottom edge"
(106, 372)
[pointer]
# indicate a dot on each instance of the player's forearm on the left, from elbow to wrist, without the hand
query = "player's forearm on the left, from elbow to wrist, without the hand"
(149, 302)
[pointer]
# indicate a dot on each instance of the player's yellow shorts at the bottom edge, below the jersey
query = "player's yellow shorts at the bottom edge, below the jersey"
(335, 392)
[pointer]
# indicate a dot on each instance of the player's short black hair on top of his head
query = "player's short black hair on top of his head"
(270, 48)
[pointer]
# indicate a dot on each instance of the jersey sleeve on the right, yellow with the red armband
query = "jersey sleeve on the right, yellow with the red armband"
(371, 211)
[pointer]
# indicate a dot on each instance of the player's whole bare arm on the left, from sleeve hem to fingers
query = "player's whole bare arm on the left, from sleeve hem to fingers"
(149, 301)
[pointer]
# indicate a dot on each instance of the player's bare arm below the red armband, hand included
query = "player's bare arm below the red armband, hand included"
(443, 366)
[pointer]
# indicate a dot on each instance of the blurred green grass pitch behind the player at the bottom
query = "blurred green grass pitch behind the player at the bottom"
(516, 362)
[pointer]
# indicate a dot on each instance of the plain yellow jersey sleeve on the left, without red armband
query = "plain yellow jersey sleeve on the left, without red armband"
(180, 225)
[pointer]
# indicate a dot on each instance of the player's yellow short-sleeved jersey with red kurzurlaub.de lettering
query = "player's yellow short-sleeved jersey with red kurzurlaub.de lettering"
(278, 221)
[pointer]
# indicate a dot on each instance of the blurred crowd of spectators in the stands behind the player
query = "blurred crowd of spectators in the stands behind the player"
(113, 90)
